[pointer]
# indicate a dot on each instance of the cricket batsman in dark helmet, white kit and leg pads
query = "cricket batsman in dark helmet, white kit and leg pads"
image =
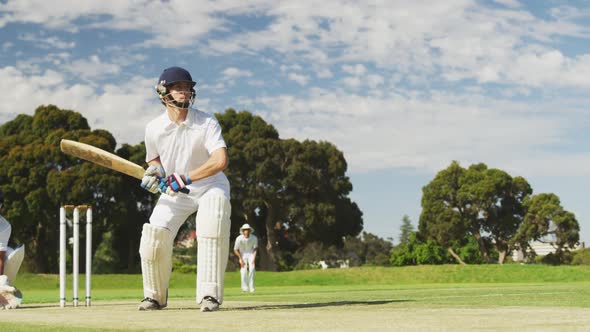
(185, 150)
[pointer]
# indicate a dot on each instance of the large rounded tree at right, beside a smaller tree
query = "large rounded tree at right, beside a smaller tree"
(486, 204)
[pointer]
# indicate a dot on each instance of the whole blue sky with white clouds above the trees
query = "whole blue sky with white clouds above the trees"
(403, 88)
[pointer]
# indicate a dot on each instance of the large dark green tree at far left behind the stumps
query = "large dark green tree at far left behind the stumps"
(36, 178)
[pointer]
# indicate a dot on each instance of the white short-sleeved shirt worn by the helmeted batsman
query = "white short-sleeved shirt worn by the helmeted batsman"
(186, 146)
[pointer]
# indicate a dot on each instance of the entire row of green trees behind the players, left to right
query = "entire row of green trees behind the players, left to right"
(294, 193)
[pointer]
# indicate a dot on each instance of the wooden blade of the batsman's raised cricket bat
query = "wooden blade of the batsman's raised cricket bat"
(101, 157)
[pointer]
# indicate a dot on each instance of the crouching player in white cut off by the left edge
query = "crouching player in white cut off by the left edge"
(10, 261)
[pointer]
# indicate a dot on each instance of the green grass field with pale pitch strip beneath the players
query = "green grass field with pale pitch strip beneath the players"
(447, 297)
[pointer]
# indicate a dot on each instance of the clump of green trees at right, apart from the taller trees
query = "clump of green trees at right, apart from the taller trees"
(479, 215)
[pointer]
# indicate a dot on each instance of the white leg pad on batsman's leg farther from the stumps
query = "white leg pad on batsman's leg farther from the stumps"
(213, 225)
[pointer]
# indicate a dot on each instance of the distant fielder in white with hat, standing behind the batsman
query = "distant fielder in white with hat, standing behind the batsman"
(245, 249)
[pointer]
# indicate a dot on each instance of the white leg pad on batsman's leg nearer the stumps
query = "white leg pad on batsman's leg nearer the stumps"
(155, 250)
